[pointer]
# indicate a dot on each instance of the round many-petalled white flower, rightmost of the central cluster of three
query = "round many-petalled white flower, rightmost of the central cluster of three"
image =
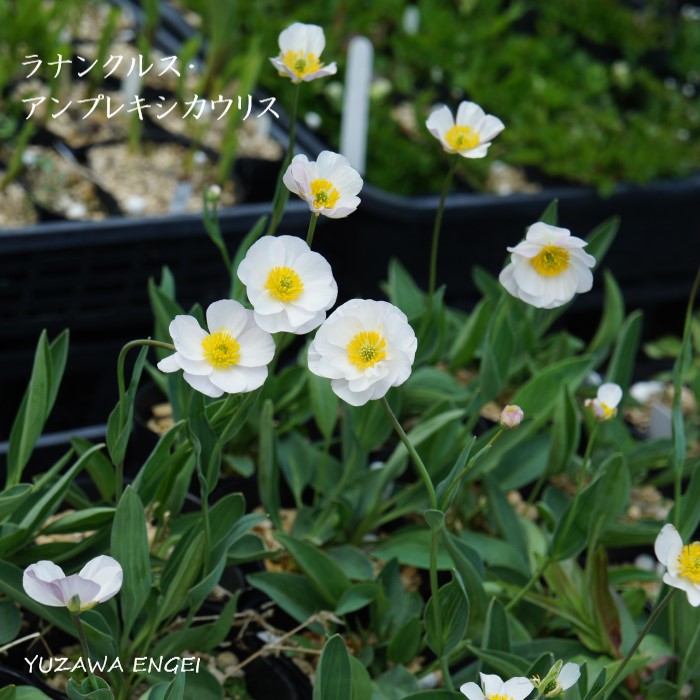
(364, 347)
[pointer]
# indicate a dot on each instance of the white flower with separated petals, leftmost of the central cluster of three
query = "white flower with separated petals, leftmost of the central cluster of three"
(231, 358)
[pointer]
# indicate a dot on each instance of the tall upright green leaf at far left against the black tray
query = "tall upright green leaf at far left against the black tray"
(39, 398)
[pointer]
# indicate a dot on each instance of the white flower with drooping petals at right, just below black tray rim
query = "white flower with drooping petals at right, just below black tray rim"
(548, 267)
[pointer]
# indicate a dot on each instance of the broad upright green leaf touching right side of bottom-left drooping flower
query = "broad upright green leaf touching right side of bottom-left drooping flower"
(130, 549)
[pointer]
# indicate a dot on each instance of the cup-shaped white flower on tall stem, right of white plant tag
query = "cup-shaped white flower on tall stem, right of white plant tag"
(470, 134)
